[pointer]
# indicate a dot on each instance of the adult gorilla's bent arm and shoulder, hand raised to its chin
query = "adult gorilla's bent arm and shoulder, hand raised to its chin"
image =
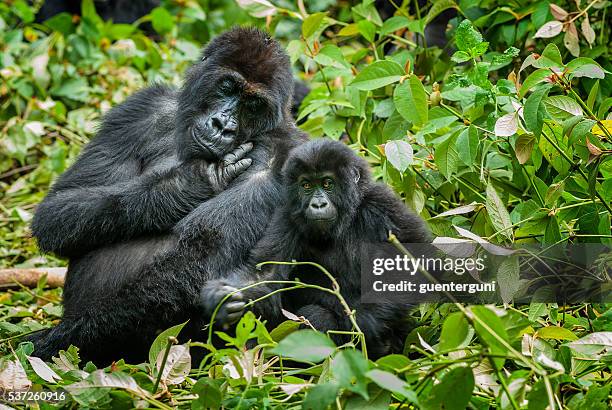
(105, 196)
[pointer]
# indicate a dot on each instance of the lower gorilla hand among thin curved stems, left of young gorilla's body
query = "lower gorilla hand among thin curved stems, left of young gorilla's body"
(232, 309)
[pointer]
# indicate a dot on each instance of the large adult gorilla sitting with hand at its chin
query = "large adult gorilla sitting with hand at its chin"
(149, 213)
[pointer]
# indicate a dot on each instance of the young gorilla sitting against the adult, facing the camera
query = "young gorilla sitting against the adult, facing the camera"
(332, 208)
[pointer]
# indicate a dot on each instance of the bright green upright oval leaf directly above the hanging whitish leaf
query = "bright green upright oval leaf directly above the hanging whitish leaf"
(411, 101)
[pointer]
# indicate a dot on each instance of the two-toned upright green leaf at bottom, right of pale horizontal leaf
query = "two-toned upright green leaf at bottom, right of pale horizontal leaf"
(349, 368)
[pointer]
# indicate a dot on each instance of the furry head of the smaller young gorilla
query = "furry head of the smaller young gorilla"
(325, 182)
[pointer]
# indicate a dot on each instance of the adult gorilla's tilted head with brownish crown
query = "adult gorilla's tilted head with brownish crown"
(241, 87)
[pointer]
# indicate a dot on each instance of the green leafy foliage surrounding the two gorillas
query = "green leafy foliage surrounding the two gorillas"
(503, 137)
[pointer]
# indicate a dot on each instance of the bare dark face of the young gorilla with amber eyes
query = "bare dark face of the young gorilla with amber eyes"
(317, 196)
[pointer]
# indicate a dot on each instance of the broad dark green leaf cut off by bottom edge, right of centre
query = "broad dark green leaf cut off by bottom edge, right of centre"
(453, 392)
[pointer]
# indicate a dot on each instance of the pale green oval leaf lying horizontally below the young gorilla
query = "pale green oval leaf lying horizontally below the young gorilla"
(306, 346)
